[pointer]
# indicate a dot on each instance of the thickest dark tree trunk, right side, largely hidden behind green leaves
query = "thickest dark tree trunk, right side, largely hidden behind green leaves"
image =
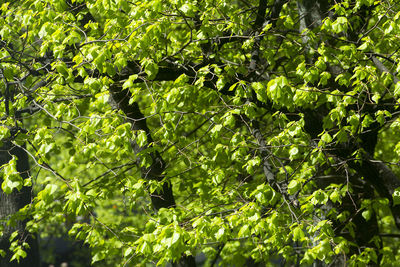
(312, 13)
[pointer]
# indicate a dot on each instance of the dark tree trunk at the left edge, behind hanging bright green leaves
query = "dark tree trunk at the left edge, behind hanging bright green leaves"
(10, 204)
